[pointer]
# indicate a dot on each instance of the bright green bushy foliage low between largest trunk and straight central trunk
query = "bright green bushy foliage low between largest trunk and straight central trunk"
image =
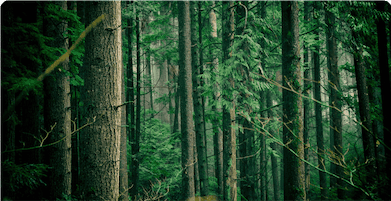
(159, 158)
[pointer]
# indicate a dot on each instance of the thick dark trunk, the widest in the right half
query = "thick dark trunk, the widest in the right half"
(294, 187)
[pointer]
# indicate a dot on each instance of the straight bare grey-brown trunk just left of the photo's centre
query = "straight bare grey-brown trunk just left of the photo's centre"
(185, 87)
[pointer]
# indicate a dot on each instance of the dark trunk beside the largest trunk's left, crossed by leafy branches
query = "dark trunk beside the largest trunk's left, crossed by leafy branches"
(57, 113)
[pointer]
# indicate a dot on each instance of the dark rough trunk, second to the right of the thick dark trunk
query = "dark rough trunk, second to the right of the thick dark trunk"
(334, 101)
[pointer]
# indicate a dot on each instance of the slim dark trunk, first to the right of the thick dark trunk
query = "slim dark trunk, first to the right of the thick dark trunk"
(318, 117)
